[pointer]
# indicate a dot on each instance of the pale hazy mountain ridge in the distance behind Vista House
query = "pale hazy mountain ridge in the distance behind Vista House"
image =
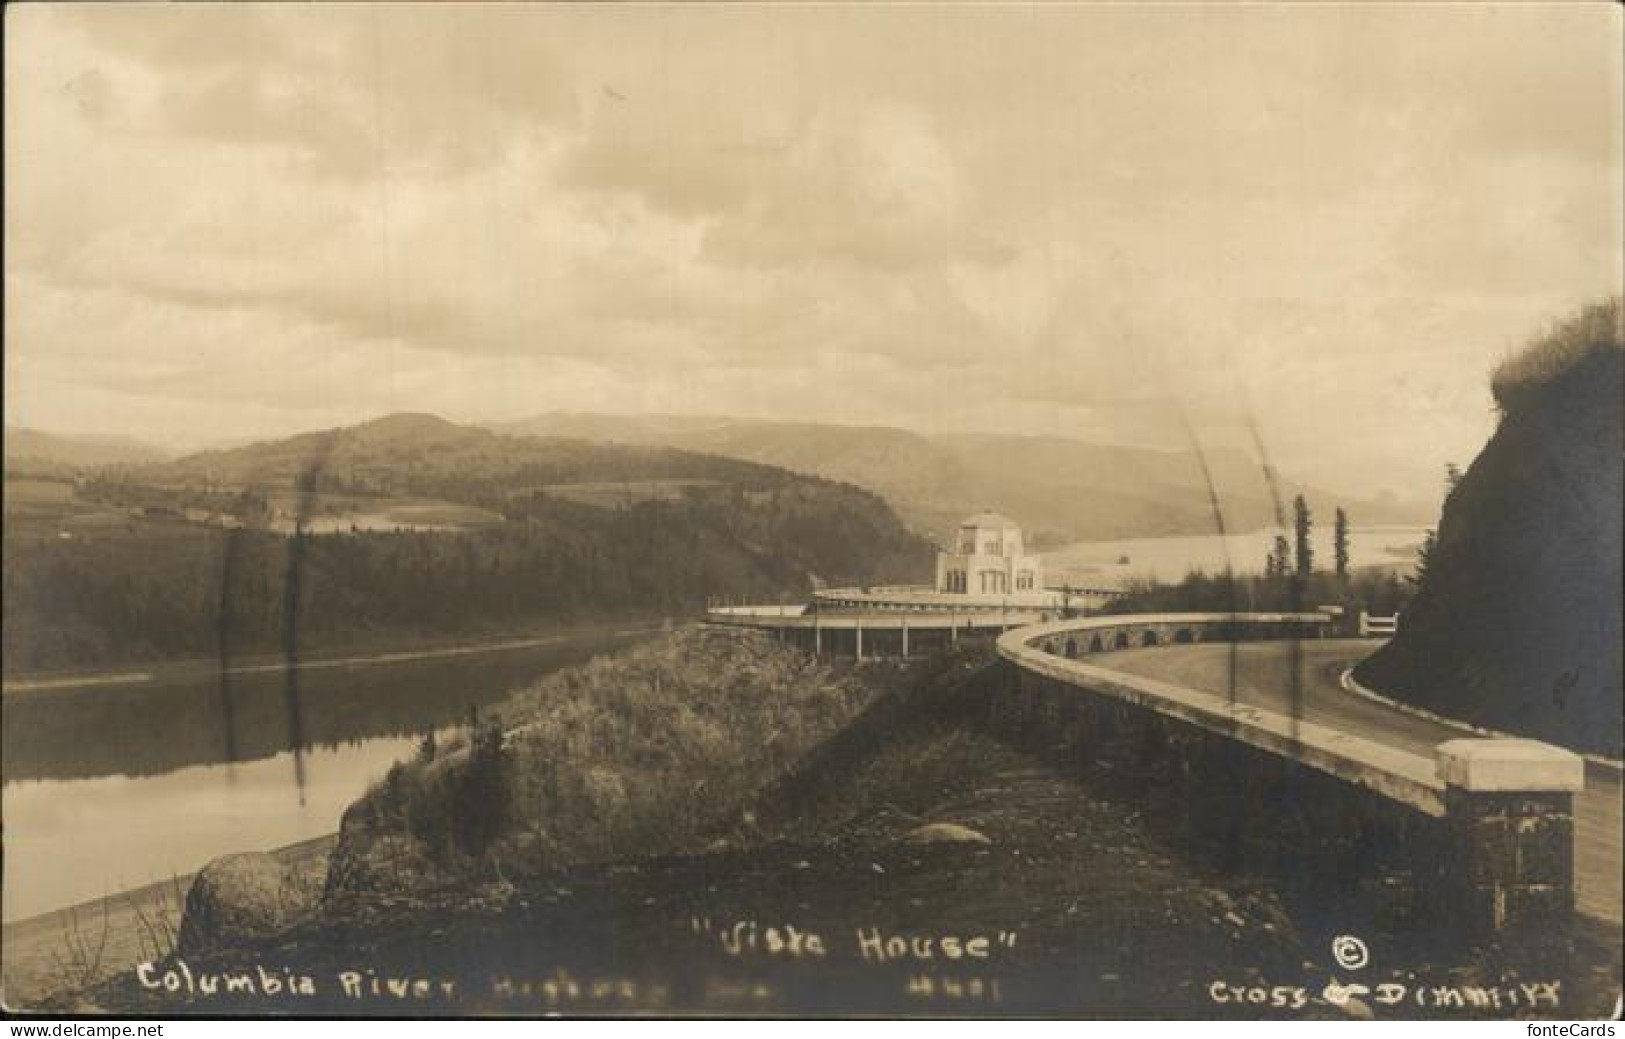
(1059, 489)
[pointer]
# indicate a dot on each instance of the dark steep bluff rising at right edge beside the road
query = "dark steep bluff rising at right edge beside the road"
(1519, 624)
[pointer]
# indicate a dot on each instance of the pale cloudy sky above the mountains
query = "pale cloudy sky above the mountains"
(1106, 222)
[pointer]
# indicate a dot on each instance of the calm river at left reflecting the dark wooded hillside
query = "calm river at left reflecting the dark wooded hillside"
(115, 788)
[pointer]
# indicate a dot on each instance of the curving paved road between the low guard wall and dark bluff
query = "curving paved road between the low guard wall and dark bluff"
(1265, 679)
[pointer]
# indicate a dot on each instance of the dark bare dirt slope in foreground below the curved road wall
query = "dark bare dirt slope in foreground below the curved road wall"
(909, 864)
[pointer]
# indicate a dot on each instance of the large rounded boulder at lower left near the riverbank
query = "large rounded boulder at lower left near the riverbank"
(248, 898)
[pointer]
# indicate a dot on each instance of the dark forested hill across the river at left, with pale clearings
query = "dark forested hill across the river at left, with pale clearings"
(97, 581)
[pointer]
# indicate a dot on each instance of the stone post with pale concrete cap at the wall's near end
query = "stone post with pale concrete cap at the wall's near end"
(1510, 811)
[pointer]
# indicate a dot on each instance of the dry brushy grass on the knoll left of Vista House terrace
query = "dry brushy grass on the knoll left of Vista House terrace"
(643, 754)
